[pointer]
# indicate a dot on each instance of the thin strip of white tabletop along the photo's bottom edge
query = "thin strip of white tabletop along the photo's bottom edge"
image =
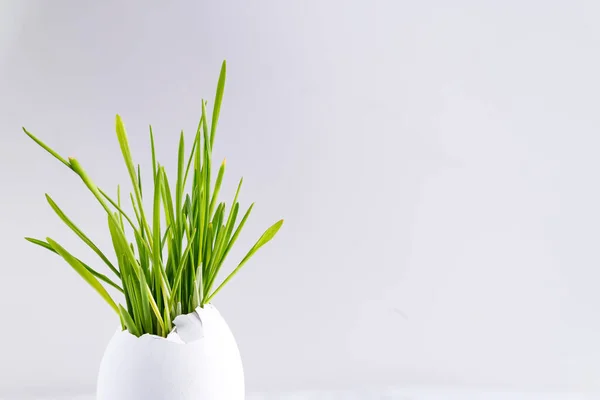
(390, 394)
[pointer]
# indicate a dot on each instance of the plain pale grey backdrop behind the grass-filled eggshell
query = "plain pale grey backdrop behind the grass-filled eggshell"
(437, 166)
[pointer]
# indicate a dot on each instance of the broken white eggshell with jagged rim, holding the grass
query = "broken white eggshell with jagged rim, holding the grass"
(199, 360)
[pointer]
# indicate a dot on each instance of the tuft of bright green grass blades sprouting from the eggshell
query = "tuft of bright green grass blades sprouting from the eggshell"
(171, 271)
